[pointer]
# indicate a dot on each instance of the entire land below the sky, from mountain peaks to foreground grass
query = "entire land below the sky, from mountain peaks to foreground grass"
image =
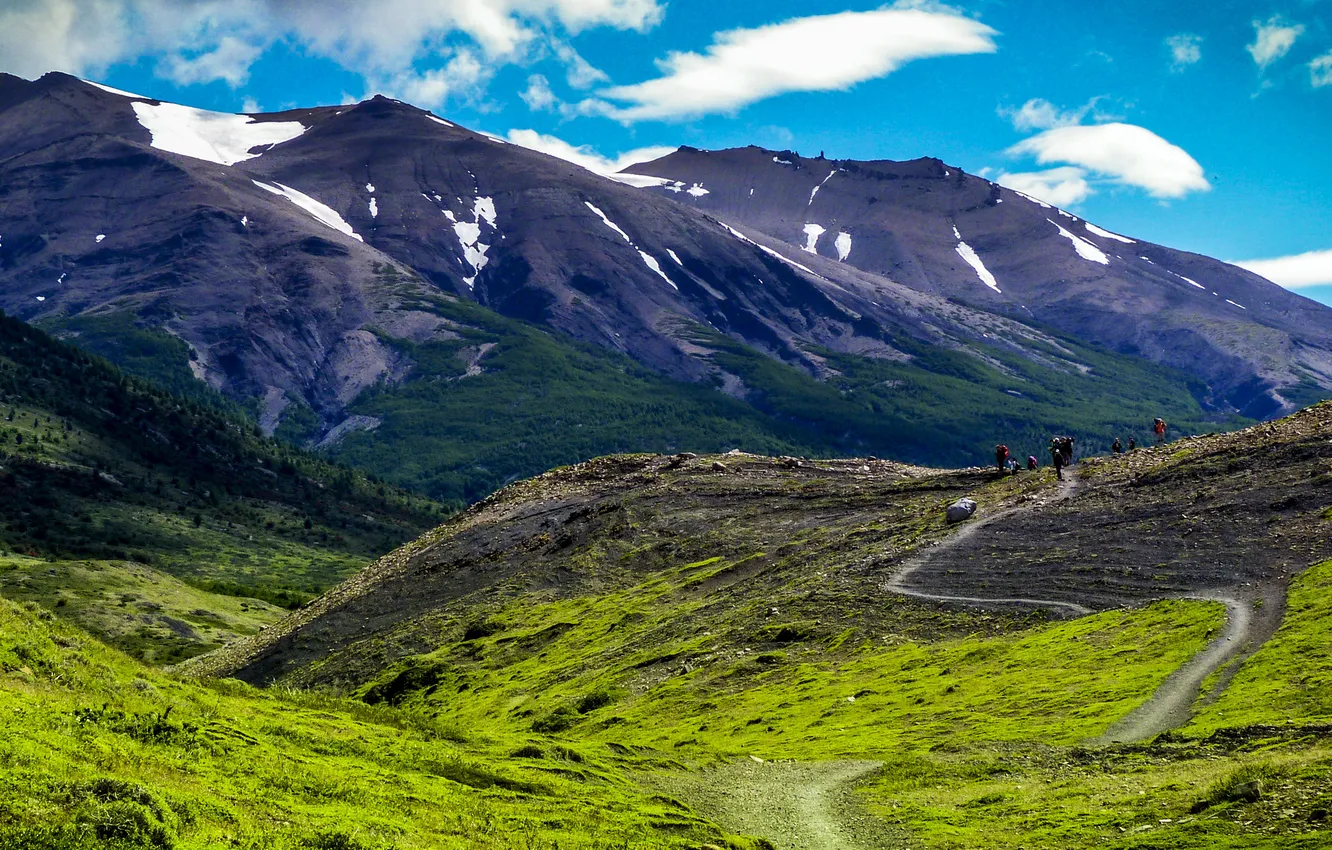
(370, 483)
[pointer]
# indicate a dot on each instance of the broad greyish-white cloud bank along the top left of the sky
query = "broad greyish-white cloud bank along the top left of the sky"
(410, 46)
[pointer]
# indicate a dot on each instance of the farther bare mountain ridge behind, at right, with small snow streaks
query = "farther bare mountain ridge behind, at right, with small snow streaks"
(937, 230)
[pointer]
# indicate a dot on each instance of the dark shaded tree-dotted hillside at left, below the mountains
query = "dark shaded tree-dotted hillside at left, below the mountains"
(102, 471)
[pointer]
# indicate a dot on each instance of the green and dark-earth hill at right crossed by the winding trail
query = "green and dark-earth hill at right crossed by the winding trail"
(719, 616)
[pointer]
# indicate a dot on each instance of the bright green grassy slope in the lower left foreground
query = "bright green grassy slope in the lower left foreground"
(101, 752)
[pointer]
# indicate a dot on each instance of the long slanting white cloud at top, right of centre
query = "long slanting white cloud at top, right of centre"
(803, 55)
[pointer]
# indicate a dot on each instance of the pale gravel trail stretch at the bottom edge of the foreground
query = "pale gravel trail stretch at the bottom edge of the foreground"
(795, 805)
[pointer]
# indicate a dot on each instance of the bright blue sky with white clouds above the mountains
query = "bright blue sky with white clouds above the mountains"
(1199, 126)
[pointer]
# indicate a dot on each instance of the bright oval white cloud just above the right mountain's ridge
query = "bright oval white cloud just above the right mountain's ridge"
(1122, 153)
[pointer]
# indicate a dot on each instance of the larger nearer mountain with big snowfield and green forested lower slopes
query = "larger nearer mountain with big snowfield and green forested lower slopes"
(455, 312)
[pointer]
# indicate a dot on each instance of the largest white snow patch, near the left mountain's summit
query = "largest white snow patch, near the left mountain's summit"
(211, 137)
